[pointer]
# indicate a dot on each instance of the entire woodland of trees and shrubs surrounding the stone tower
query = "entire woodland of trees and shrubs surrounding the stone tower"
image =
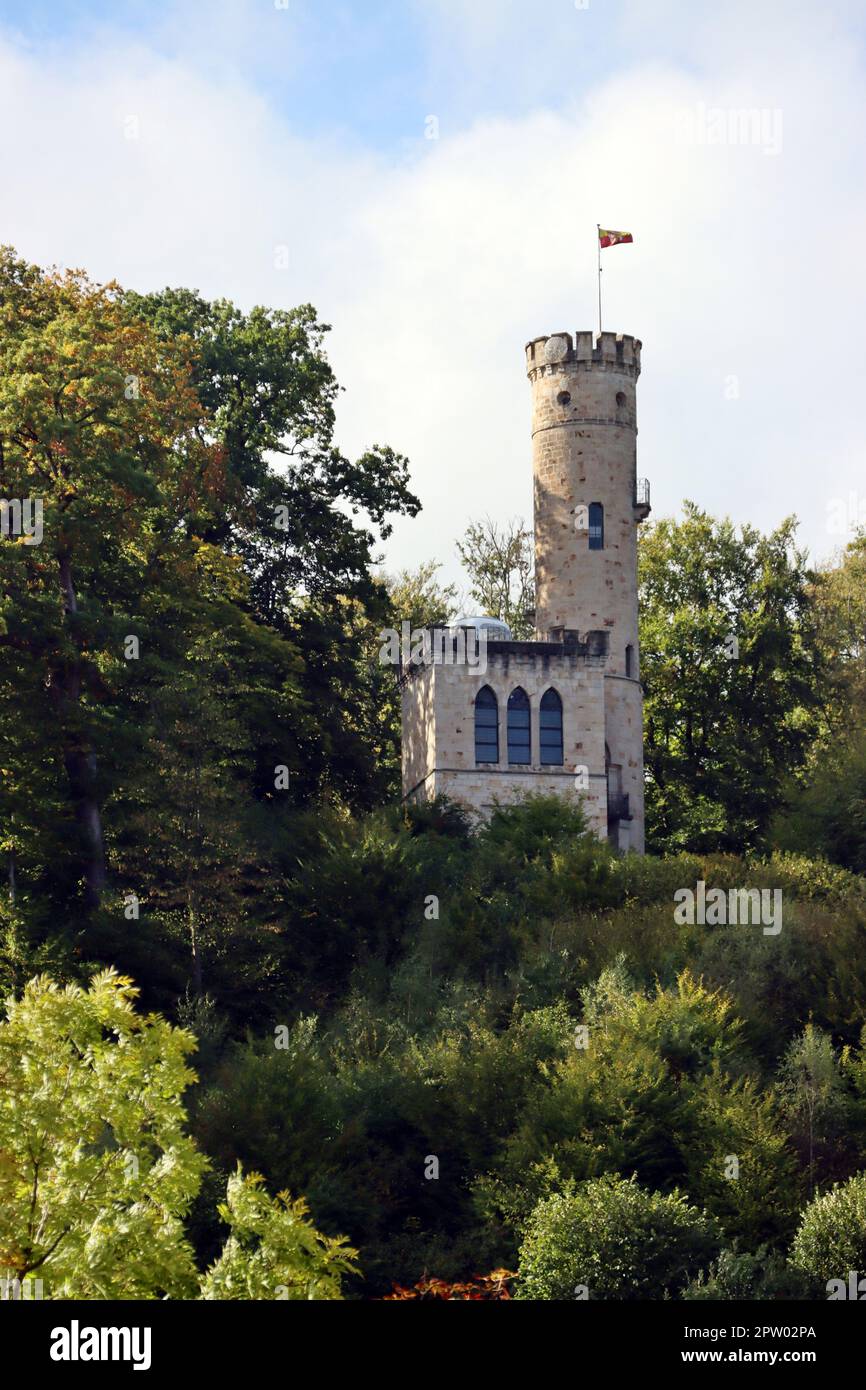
(370, 1046)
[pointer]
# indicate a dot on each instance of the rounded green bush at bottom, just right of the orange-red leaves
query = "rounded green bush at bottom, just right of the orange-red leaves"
(616, 1241)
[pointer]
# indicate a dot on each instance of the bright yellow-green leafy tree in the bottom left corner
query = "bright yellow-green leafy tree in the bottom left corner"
(97, 1168)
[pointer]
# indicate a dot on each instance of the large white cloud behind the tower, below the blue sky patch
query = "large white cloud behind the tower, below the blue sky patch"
(437, 263)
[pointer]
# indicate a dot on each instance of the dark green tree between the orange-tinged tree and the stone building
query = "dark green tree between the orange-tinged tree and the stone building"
(304, 521)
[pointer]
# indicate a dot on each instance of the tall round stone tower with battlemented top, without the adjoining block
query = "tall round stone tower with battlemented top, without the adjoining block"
(589, 504)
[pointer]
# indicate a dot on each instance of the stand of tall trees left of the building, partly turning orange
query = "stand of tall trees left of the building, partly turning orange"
(147, 426)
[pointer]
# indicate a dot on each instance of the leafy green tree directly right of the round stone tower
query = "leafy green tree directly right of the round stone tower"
(733, 675)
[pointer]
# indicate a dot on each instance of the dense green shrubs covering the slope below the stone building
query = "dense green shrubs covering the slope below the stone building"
(457, 1038)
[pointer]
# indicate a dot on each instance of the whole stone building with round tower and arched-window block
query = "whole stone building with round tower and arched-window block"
(496, 719)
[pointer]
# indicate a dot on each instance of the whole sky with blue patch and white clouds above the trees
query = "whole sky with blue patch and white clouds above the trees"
(430, 176)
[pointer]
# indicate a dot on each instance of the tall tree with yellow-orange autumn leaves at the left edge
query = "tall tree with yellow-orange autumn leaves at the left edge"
(101, 425)
